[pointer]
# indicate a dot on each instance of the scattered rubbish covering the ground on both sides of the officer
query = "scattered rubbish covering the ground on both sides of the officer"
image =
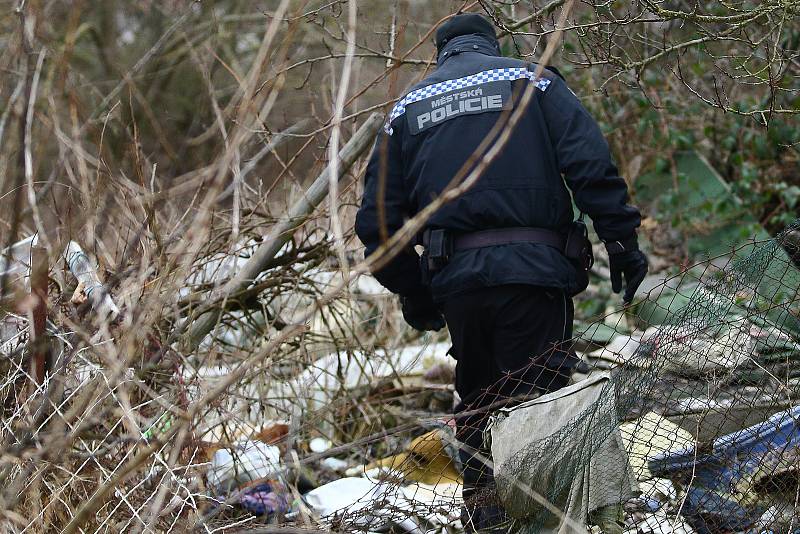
(681, 418)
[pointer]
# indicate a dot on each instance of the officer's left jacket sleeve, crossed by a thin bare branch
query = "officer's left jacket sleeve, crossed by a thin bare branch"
(402, 274)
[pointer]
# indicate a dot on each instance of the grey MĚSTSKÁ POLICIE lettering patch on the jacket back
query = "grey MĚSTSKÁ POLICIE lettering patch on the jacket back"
(486, 97)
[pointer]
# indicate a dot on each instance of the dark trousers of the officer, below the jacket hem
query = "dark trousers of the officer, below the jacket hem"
(509, 342)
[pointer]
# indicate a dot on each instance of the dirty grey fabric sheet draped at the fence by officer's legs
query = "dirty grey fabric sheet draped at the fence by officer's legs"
(583, 477)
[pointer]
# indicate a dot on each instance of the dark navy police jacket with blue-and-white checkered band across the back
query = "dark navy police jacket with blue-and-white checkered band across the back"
(432, 132)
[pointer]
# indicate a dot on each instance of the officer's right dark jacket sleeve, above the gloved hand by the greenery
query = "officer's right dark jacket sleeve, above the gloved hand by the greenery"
(585, 160)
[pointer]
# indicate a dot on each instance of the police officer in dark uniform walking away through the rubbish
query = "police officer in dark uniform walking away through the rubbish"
(495, 265)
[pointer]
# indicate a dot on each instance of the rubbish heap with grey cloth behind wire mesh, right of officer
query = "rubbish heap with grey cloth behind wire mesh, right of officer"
(700, 385)
